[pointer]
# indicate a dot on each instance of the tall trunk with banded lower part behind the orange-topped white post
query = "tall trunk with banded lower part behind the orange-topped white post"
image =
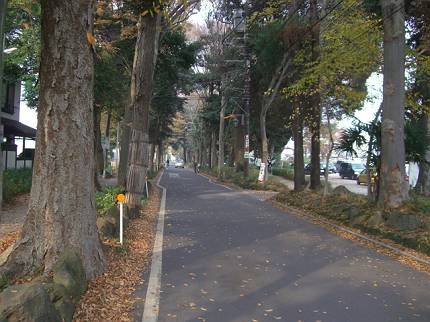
(141, 89)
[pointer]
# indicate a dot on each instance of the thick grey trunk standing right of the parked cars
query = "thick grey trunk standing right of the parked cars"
(393, 186)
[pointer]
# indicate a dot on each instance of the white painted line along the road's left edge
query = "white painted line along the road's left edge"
(152, 301)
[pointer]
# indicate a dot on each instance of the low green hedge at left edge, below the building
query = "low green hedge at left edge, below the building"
(16, 182)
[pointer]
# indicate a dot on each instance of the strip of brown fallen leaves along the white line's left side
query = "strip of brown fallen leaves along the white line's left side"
(110, 297)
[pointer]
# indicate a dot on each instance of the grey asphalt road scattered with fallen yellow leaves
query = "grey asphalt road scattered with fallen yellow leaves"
(228, 256)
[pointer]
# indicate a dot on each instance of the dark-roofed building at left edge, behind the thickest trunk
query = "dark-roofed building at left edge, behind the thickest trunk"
(13, 130)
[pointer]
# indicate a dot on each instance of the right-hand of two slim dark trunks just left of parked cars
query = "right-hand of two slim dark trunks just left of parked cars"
(315, 120)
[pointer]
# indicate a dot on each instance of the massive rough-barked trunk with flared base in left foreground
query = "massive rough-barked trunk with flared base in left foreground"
(62, 212)
